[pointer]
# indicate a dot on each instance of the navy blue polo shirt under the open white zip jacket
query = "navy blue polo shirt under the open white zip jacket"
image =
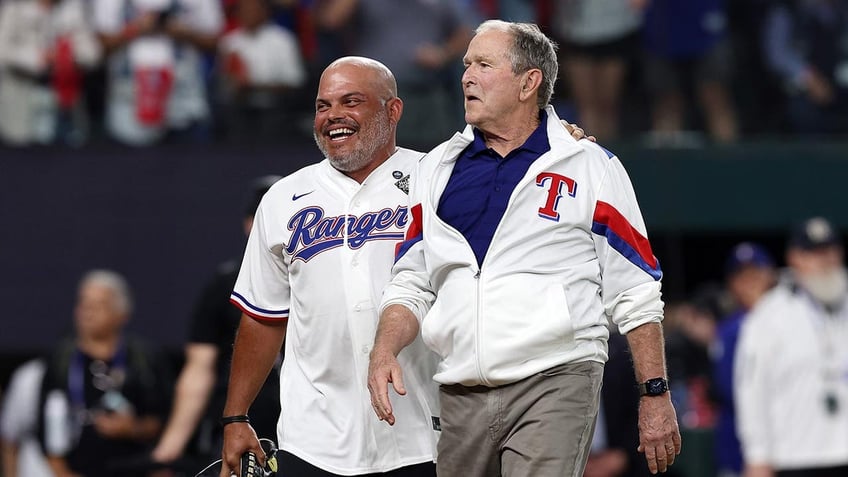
(481, 183)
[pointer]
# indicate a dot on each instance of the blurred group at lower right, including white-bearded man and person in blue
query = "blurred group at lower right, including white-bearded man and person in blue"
(755, 362)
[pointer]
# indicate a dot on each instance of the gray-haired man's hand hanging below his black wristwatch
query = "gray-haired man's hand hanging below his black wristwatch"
(659, 435)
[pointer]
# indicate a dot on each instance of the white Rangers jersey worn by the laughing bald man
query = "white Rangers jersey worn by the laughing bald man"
(319, 255)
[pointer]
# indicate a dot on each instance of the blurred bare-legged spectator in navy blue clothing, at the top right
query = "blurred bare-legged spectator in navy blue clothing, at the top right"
(688, 55)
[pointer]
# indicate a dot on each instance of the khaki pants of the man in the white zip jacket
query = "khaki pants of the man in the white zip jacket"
(540, 426)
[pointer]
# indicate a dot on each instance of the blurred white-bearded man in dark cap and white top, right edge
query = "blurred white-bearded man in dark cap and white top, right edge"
(791, 371)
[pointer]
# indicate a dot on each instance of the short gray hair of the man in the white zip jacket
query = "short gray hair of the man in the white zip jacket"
(530, 49)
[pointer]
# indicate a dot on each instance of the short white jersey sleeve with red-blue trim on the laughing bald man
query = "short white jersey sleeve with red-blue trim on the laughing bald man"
(262, 288)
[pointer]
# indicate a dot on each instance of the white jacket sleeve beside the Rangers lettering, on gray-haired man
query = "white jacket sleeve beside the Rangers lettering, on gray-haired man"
(410, 284)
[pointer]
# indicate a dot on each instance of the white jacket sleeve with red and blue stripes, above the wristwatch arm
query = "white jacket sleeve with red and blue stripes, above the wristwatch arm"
(630, 273)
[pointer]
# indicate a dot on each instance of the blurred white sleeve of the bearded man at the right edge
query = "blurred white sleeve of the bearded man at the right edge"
(751, 389)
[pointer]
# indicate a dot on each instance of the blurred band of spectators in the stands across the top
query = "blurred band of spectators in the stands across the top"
(142, 72)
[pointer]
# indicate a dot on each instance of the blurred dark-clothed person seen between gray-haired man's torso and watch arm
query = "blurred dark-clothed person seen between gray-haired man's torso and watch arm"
(613, 452)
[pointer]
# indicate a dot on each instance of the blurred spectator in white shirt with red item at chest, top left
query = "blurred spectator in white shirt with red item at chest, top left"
(156, 73)
